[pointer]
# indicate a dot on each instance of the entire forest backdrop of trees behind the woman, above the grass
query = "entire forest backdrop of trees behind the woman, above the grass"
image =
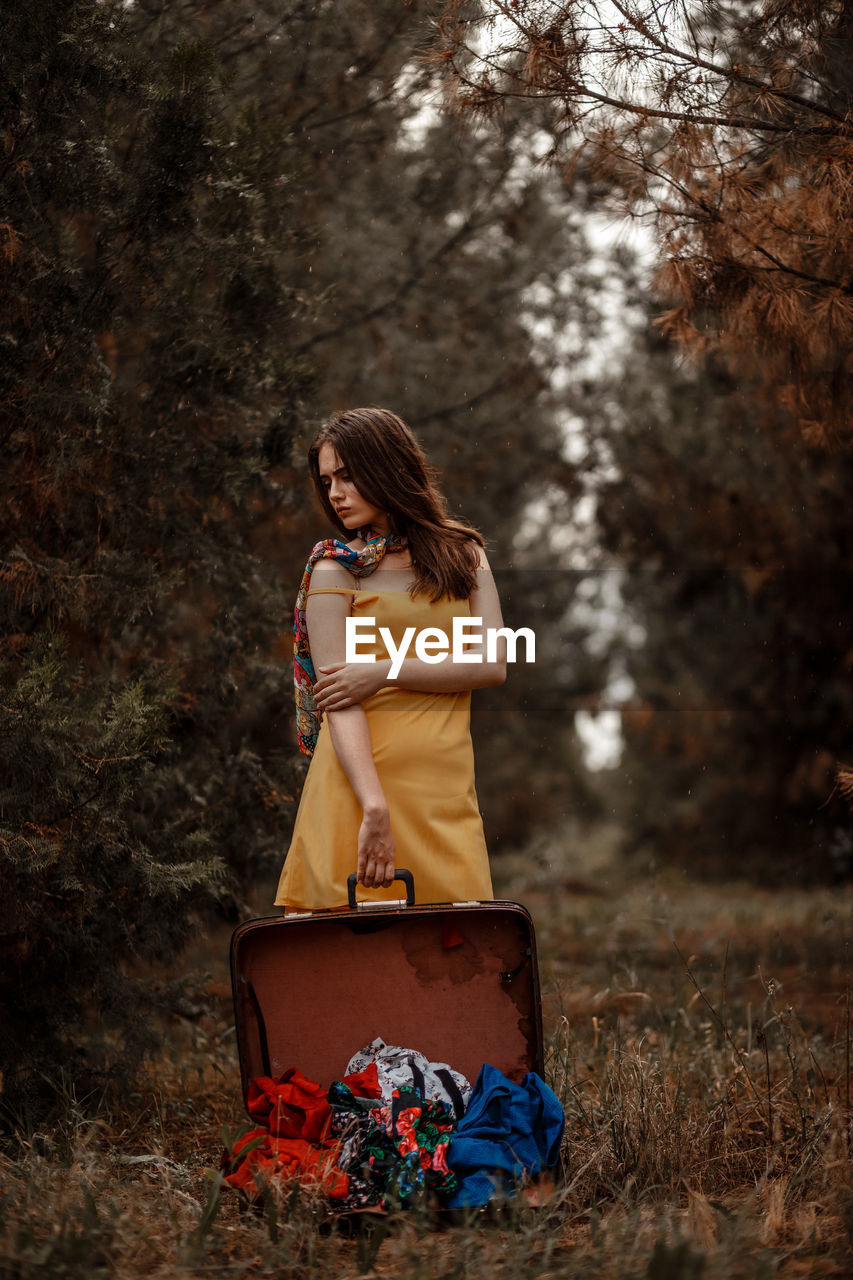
(222, 221)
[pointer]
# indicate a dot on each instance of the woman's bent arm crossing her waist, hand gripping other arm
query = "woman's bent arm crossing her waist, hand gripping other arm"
(340, 685)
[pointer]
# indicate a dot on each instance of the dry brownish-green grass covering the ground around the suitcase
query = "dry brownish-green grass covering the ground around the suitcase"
(699, 1039)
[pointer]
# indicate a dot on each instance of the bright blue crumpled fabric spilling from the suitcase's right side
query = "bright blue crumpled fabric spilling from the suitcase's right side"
(508, 1132)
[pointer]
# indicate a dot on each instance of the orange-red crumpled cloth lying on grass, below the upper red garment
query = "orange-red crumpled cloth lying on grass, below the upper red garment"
(282, 1160)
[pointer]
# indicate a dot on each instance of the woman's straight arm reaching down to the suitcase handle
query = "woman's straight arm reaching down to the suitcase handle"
(326, 618)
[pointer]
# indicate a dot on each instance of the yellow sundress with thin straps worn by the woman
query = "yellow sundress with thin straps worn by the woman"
(422, 747)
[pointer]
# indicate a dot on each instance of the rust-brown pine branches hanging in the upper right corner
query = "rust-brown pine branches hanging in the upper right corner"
(731, 130)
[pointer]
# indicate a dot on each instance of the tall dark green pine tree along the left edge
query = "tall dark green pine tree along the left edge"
(145, 244)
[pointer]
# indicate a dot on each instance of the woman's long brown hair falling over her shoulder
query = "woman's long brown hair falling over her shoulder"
(390, 470)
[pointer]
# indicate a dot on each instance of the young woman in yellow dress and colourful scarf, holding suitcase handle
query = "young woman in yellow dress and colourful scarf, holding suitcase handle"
(391, 780)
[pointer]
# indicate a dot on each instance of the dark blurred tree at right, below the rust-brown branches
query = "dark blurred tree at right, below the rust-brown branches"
(733, 548)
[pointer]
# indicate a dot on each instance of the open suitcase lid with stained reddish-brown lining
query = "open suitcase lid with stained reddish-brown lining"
(459, 982)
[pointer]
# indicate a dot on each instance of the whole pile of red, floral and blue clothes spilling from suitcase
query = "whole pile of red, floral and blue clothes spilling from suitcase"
(361, 1149)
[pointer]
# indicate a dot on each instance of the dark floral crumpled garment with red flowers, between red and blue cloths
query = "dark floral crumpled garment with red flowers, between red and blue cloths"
(395, 1154)
